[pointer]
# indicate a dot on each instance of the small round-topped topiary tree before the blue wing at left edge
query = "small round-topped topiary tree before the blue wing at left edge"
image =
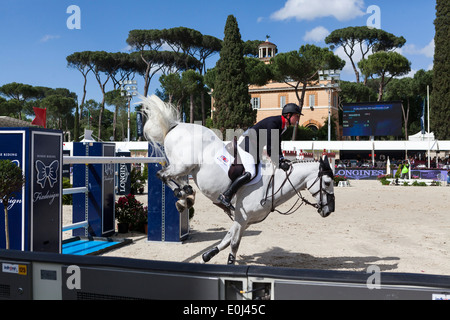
(11, 181)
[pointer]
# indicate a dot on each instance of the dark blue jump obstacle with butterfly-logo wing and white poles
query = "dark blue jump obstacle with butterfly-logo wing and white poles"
(35, 213)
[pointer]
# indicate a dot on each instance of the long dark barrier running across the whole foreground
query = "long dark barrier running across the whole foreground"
(32, 275)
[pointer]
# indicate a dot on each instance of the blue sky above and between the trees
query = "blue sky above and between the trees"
(38, 35)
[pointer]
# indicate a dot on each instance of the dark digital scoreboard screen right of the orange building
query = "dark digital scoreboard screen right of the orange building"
(372, 119)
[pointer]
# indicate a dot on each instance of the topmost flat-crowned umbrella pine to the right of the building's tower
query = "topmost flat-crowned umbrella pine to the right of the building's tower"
(364, 38)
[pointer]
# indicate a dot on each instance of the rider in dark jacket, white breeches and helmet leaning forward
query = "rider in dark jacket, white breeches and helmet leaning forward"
(250, 140)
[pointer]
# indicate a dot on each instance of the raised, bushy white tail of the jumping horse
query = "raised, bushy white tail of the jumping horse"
(161, 117)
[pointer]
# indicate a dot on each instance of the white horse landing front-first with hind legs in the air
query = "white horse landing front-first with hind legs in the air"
(191, 149)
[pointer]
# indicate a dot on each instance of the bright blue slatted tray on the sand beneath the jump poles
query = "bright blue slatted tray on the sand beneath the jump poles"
(90, 246)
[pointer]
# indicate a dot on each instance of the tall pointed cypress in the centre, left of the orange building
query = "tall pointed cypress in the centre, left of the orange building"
(232, 100)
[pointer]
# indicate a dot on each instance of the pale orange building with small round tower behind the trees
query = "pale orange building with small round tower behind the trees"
(320, 98)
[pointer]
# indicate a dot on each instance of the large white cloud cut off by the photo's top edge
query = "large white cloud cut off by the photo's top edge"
(342, 10)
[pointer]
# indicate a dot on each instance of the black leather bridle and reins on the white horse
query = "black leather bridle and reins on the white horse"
(319, 206)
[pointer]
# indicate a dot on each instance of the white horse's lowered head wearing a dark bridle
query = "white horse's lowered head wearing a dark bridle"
(322, 188)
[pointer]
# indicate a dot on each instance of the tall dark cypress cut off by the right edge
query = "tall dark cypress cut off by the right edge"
(440, 99)
